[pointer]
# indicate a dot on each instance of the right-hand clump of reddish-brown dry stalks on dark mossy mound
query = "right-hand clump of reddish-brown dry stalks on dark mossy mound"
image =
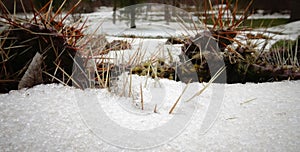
(244, 63)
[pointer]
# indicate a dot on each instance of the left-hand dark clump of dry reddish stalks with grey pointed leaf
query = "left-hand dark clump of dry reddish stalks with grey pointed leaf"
(39, 49)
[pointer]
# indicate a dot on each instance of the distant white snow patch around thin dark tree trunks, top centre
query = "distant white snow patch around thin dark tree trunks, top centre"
(149, 22)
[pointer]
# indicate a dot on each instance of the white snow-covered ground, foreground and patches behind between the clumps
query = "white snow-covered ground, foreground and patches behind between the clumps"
(225, 117)
